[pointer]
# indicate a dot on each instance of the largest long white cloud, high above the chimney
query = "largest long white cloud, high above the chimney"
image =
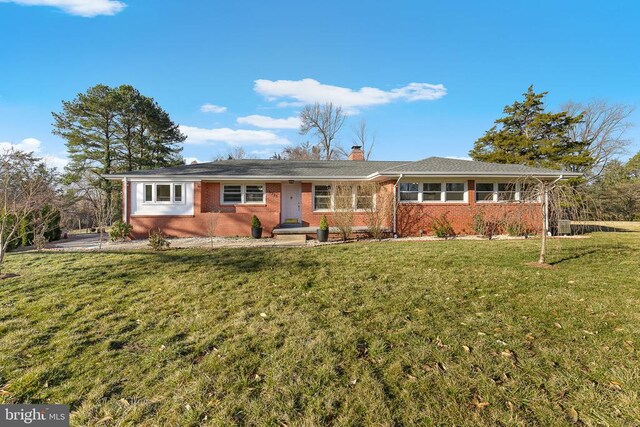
(308, 91)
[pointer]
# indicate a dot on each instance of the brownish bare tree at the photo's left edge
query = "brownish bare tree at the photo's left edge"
(27, 188)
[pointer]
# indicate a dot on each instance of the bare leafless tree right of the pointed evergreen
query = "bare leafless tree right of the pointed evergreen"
(604, 126)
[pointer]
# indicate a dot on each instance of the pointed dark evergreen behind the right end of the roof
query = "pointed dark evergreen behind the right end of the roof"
(529, 135)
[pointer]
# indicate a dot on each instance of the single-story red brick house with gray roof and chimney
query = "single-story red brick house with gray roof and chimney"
(181, 201)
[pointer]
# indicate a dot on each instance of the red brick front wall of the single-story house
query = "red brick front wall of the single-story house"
(413, 219)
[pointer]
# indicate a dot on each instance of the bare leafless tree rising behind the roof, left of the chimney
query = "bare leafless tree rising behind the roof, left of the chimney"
(325, 121)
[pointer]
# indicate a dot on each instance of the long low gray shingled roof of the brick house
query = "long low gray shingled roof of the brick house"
(339, 169)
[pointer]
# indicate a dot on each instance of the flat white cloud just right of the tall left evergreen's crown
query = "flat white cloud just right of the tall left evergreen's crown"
(234, 137)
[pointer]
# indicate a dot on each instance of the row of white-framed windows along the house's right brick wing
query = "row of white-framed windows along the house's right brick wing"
(456, 192)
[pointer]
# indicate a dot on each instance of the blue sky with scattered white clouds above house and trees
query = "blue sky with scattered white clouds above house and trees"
(435, 74)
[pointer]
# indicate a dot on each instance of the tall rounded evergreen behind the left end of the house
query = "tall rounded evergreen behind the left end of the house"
(114, 130)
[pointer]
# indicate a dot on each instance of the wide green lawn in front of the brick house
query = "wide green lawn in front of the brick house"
(391, 333)
